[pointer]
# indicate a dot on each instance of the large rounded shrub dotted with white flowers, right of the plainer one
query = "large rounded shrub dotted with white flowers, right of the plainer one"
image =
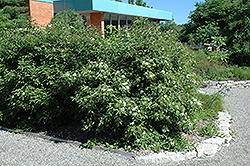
(142, 91)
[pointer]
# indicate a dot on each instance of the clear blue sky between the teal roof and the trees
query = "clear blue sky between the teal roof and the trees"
(179, 8)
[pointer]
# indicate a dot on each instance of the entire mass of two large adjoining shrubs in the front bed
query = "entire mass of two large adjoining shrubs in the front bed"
(134, 89)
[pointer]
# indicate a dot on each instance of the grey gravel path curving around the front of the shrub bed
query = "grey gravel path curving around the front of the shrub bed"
(18, 149)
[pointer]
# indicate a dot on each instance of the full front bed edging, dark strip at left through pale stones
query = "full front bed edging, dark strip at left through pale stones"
(207, 147)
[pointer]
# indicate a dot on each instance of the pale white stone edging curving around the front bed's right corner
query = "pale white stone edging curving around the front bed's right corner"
(207, 147)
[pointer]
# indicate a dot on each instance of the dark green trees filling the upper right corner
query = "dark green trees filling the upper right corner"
(221, 18)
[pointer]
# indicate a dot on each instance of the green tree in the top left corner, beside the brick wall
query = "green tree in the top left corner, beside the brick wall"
(16, 12)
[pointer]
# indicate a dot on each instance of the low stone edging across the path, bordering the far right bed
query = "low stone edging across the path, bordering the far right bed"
(228, 84)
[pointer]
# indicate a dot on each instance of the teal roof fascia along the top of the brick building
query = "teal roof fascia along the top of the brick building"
(111, 7)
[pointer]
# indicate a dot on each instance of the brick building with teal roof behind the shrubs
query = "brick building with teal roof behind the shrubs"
(99, 13)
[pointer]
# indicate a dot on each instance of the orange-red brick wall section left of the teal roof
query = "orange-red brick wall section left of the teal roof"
(41, 12)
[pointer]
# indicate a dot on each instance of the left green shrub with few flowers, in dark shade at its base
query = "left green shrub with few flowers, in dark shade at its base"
(36, 68)
